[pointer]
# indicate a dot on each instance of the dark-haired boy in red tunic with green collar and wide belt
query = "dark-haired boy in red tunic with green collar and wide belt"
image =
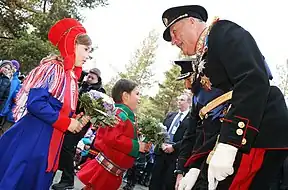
(118, 145)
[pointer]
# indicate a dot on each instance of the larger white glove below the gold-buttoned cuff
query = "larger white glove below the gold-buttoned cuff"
(221, 164)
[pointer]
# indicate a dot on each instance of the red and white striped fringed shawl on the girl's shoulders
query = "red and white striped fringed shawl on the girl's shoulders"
(49, 74)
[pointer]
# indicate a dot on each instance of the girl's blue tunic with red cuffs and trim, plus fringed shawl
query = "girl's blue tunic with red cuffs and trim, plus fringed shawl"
(30, 149)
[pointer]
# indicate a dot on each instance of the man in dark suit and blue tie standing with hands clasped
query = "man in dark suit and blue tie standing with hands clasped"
(165, 156)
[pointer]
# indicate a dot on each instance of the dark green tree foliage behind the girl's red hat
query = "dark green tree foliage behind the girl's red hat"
(24, 26)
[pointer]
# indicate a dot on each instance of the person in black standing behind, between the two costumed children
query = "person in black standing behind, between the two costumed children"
(66, 164)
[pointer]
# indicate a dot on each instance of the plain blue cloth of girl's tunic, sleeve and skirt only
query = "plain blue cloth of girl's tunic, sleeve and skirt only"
(24, 147)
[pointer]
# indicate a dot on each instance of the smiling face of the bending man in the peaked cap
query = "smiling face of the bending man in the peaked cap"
(184, 35)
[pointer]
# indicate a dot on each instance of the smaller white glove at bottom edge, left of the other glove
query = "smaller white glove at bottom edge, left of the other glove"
(188, 181)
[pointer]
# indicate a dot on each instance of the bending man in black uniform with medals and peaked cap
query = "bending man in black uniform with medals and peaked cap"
(230, 80)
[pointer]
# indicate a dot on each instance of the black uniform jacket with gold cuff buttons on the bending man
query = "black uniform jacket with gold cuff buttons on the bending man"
(257, 116)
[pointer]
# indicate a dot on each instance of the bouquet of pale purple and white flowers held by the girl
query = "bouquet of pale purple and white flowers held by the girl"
(99, 107)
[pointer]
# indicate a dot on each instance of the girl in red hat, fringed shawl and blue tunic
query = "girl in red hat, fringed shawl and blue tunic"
(30, 149)
